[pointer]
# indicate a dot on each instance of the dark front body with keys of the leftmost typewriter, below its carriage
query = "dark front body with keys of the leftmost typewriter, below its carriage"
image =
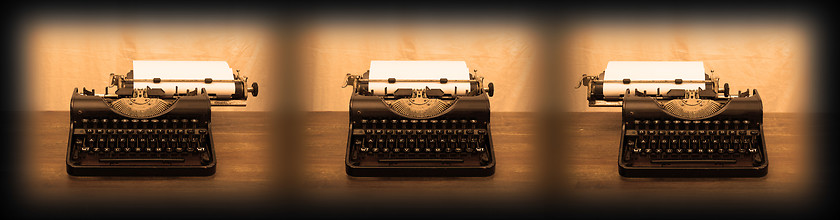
(103, 142)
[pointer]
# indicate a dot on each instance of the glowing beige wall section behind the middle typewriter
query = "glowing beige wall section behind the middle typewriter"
(501, 50)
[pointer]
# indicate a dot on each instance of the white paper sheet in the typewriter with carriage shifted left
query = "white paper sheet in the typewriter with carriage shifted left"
(652, 70)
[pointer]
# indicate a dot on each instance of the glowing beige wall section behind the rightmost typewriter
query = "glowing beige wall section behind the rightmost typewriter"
(771, 55)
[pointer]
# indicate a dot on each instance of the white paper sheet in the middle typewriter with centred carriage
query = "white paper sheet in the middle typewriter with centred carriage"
(423, 70)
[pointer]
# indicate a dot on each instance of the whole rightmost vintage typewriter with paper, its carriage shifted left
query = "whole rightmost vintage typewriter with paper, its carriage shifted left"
(678, 122)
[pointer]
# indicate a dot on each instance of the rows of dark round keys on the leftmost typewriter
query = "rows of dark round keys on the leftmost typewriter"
(140, 142)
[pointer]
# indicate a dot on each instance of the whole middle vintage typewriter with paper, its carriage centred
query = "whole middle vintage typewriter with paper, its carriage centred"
(419, 118)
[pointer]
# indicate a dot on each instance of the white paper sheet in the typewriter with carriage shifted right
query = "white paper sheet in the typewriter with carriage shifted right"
(200, 70)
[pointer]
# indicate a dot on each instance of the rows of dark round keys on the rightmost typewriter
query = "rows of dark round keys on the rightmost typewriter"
(692, 143)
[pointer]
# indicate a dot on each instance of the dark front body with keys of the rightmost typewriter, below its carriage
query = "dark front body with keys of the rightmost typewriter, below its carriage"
(655, 143)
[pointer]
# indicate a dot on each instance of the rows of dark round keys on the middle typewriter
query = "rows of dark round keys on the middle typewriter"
(419, 143)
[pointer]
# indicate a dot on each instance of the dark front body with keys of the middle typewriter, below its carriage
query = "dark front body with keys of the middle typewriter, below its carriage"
(457, 143)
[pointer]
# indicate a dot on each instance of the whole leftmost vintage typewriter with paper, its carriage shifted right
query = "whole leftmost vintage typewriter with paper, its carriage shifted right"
(155, 122)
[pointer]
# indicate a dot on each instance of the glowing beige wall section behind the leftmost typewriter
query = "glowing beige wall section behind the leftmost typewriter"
(62, 54)
